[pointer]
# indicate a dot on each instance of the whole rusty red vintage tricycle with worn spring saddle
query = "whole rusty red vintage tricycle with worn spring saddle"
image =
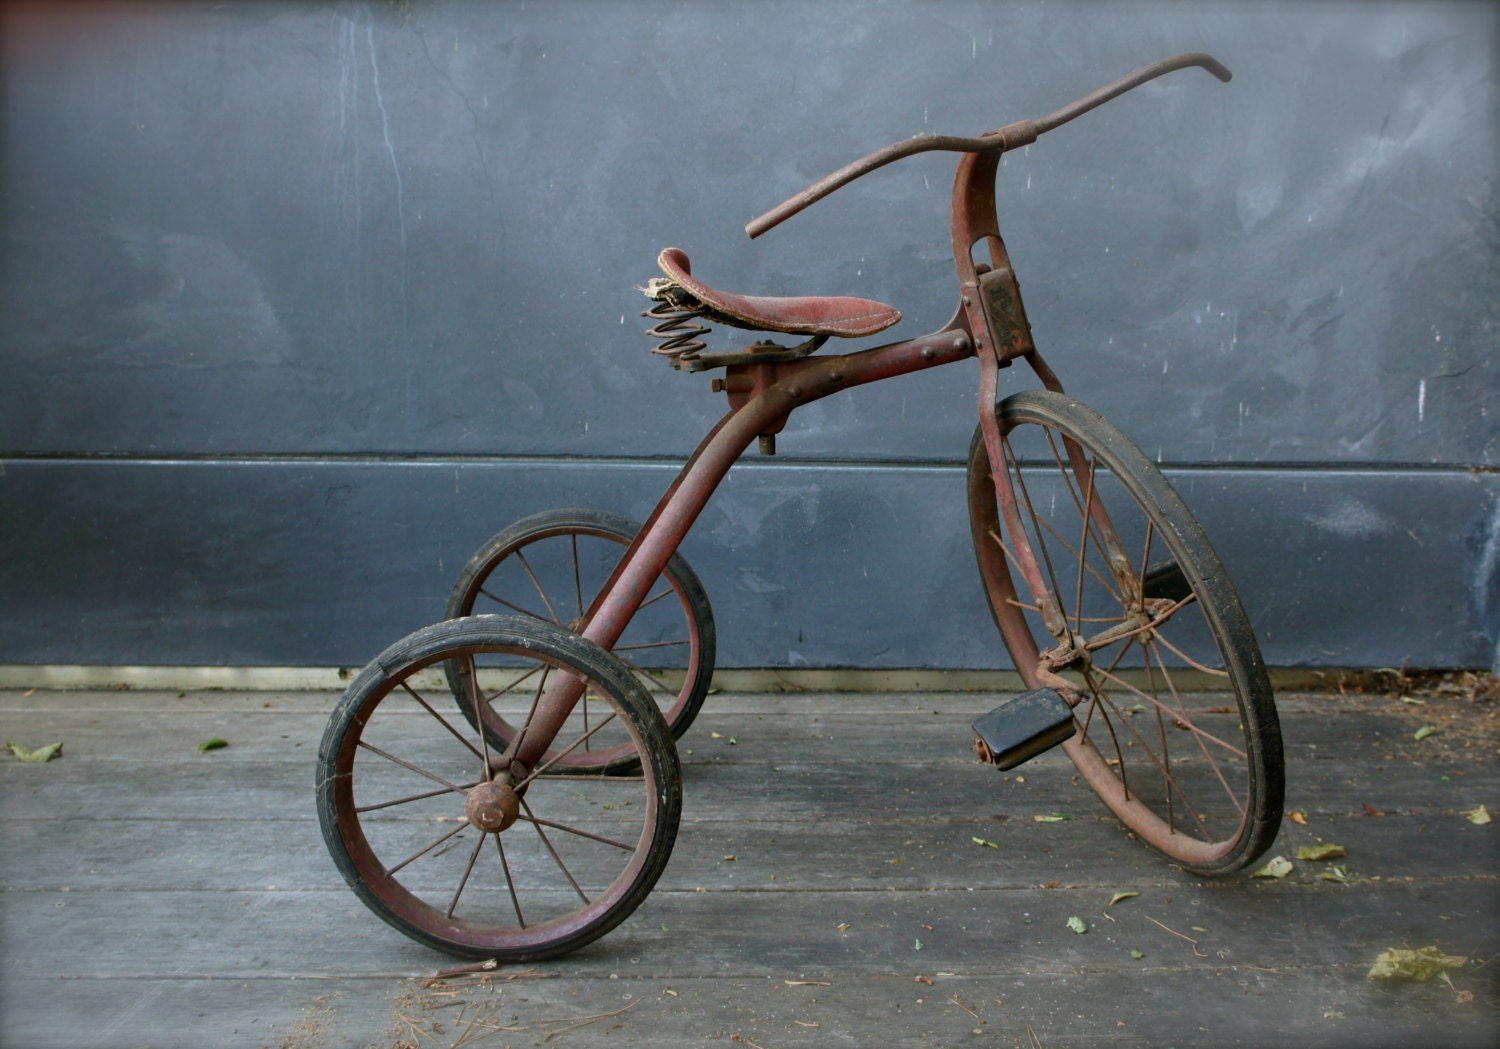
(505, 784)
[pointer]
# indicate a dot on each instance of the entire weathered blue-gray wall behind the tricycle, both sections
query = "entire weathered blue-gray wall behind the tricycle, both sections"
(301, 302)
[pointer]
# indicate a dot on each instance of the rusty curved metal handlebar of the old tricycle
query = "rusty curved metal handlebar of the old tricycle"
(1010, 137)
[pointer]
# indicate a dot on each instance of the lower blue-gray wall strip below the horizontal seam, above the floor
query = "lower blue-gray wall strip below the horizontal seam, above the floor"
(325, 564)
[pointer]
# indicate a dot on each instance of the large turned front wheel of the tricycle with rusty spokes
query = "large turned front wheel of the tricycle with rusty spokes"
(1177, 723)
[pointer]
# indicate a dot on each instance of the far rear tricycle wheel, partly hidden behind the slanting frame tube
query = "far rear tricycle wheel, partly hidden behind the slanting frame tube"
(565, 603)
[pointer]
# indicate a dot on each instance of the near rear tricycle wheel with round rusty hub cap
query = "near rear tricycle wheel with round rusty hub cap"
(580, 856)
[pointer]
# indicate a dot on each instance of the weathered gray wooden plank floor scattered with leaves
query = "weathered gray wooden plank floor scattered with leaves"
(158, 897)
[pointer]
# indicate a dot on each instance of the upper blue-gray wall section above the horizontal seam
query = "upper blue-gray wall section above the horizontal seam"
(367, 214)
